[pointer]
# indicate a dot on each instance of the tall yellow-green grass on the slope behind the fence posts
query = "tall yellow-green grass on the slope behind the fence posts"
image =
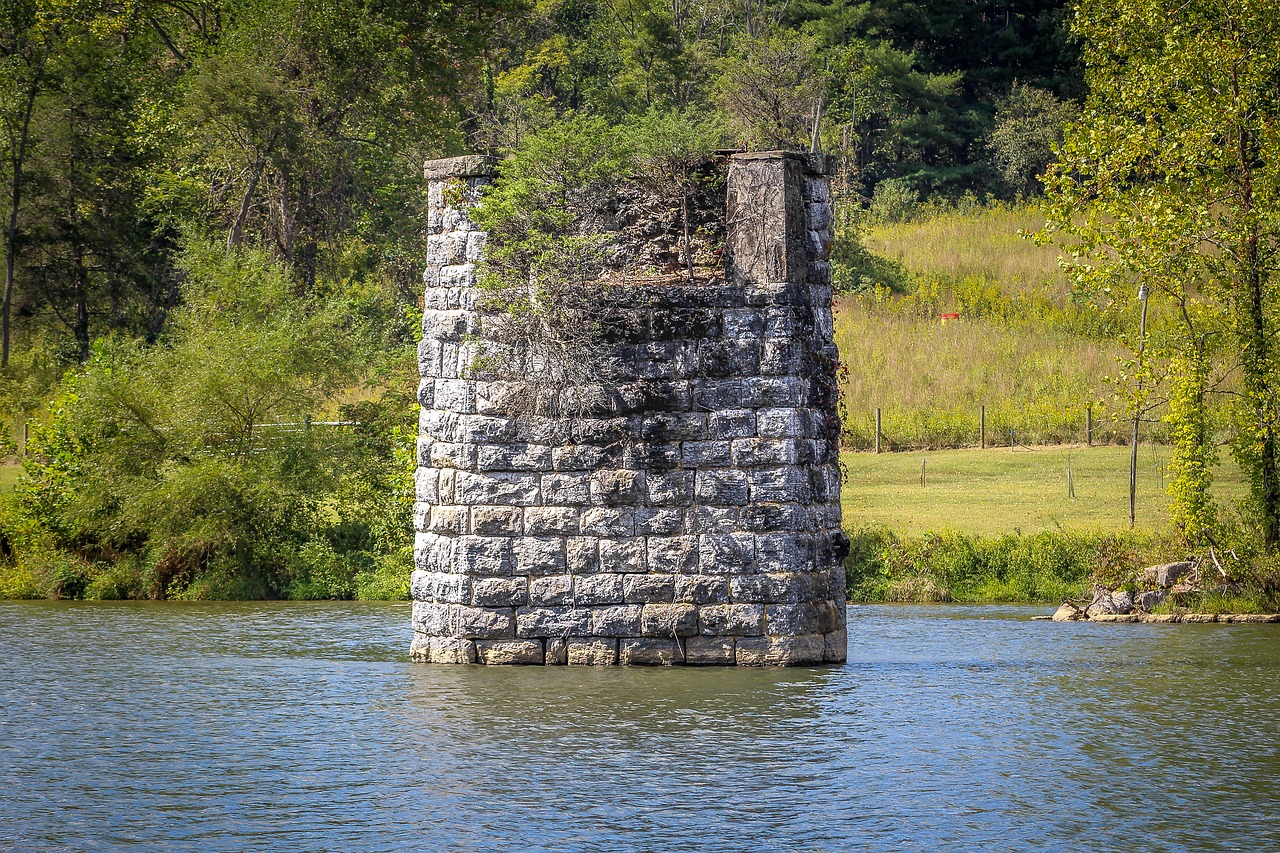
(1036, 358)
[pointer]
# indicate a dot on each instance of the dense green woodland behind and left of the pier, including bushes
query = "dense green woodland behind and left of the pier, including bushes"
(213, 230)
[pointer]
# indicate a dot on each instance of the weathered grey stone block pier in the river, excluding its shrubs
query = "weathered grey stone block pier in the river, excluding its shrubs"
(694, 518)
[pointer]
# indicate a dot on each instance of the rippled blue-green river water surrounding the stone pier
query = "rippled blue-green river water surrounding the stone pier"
(304, 727)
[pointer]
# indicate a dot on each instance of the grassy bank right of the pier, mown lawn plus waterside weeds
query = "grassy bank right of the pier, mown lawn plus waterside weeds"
(1002, 526)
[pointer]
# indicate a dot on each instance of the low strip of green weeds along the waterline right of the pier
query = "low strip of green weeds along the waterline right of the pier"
(949, 567)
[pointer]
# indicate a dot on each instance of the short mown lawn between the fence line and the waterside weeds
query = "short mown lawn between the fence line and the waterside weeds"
(1000, 491)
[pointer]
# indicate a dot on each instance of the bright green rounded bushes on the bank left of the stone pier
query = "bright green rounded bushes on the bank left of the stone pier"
(190, 468)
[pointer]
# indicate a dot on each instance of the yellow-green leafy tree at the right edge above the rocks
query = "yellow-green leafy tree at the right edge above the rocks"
(1172, 181)
